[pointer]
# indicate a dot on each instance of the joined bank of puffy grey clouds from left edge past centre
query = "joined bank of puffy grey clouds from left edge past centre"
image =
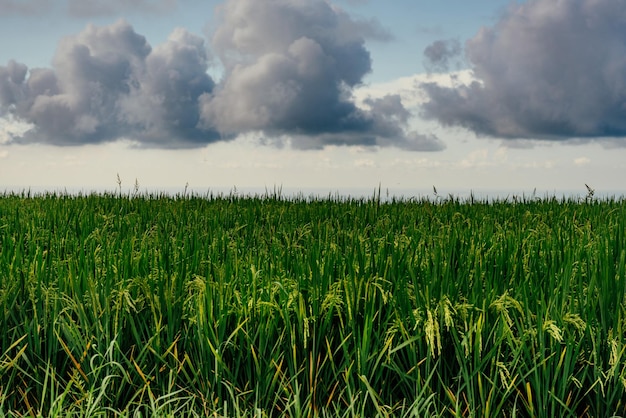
(289, 70)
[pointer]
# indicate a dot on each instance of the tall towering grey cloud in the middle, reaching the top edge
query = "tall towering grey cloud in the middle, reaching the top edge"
(290, 68)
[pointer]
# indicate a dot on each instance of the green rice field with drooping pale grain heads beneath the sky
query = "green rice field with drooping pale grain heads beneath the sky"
(227, 306)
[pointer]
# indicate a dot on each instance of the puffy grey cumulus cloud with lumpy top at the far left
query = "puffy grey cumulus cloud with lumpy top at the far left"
(108, 83)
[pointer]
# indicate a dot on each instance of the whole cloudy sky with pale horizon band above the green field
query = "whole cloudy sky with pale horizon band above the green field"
(489, 96)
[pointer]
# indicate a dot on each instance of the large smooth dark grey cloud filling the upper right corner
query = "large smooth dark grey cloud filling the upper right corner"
(548, 69)
